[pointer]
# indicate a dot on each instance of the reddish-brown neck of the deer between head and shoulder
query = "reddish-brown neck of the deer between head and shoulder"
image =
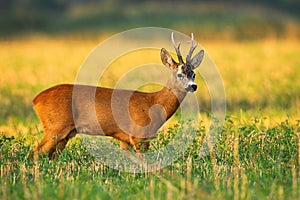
(170, 97)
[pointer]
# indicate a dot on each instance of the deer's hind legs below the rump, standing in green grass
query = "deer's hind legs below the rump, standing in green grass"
(54, 141)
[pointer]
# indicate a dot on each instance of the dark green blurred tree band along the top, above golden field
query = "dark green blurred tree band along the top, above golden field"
(233, 19)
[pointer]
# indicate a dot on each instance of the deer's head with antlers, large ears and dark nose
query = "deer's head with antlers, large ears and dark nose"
(183, 74)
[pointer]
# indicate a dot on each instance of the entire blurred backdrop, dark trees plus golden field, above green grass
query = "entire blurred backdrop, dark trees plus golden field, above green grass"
(255, 45)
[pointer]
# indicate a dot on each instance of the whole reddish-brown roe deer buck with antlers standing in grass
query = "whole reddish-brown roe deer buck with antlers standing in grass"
(63, 117)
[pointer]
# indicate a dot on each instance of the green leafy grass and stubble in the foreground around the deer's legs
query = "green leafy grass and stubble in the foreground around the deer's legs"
(250, 160)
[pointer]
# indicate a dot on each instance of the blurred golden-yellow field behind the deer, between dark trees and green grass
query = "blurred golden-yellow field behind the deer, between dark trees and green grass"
(261, 78)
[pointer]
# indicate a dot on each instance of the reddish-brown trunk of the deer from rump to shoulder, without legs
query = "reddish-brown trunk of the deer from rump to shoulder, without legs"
(90, 106)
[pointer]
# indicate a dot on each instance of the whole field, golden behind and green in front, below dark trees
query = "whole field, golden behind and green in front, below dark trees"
(256, 154)
